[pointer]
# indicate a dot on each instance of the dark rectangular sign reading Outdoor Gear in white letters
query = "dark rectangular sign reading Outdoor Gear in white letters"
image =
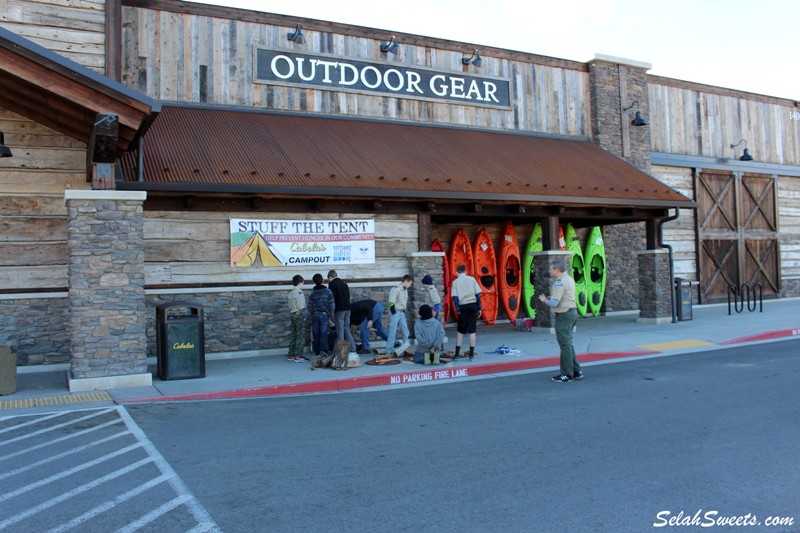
(328, 72)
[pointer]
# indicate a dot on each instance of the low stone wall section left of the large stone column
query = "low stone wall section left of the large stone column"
(36, 329)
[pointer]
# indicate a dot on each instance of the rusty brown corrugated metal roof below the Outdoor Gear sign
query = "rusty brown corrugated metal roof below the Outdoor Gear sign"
(207, 149)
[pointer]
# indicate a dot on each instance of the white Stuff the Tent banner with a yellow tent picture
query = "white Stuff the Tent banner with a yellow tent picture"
(302, 242)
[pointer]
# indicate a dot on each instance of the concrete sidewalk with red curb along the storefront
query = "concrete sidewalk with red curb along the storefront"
(612, 337)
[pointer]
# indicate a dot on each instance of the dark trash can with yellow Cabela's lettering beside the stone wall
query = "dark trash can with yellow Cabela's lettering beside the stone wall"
(180, 341)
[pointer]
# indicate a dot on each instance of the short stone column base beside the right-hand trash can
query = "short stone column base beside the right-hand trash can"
(655, 287)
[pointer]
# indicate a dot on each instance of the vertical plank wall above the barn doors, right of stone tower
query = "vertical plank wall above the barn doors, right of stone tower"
(690, 122)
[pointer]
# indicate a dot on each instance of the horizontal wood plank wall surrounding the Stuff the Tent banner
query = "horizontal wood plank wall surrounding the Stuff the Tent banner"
(194, 248)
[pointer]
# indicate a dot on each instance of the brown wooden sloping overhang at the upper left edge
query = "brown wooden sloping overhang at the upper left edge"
(56, 92)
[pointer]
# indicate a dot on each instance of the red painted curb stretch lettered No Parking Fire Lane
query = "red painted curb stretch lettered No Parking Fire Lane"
(439, 373)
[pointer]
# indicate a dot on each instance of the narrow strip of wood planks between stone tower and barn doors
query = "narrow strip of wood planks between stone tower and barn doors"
(680, 233)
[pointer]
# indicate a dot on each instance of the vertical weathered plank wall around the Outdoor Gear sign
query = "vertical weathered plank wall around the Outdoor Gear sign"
(163, 53)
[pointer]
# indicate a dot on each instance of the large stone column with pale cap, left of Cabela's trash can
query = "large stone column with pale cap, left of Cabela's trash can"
(107, 312)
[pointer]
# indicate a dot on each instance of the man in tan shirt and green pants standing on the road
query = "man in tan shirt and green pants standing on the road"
(562, 302)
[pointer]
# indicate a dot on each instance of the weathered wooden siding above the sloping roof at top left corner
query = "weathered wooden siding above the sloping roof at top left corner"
(72, 28)
